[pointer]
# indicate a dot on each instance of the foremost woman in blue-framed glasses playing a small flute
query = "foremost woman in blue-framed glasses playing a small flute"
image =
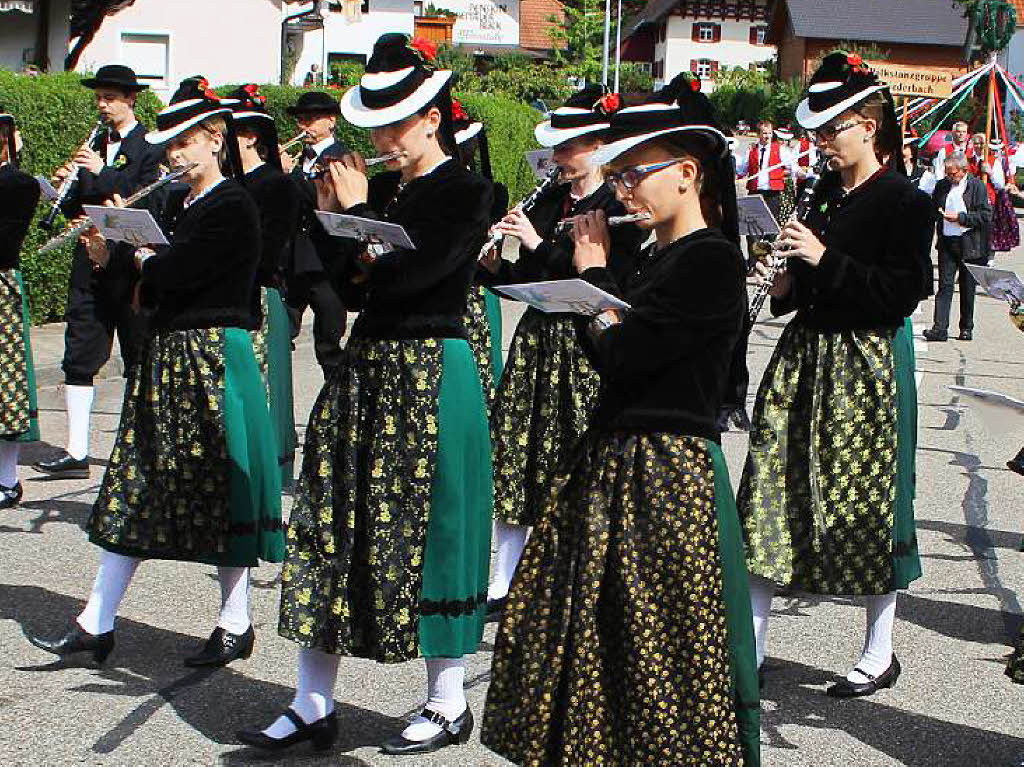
(626, 638)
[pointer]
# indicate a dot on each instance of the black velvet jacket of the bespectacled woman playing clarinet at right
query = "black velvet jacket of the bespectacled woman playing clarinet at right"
(877, 266)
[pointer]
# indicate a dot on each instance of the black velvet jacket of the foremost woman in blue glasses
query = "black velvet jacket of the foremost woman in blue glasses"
(666, 366)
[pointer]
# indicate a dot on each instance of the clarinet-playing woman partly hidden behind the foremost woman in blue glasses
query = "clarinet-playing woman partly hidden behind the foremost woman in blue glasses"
(549, 388)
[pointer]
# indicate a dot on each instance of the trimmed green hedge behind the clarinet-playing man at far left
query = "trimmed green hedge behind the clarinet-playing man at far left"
(55, 114)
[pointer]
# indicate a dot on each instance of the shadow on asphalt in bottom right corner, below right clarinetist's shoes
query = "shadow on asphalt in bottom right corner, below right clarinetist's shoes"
(897, 734)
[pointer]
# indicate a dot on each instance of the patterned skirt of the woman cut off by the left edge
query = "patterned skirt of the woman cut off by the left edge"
(19, 414)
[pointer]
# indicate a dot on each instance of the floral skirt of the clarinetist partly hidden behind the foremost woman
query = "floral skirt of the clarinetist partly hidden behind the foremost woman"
(544, 404)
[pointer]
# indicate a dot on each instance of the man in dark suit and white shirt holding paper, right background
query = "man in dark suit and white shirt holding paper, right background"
(965, 218)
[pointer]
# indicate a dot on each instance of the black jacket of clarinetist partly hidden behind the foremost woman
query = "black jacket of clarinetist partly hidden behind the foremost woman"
(553, 258)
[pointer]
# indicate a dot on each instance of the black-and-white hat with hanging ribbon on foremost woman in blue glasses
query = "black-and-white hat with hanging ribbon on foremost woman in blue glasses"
(679, 108)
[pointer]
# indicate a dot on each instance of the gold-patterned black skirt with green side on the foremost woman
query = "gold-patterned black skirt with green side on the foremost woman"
(628, 637)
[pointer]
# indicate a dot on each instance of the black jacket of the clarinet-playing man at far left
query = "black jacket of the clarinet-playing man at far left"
(137, 164)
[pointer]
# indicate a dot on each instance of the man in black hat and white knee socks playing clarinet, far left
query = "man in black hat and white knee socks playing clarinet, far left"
(119, 162)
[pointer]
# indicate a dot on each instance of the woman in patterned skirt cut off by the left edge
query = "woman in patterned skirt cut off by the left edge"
(19, 420)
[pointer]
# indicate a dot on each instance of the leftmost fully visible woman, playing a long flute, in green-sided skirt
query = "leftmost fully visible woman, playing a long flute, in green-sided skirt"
(194, 474)
